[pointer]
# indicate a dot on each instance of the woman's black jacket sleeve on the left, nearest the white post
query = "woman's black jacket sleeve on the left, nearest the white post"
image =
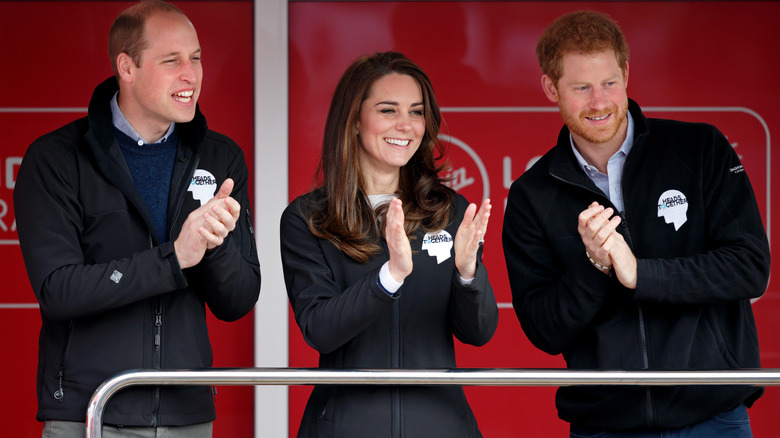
(328, 316)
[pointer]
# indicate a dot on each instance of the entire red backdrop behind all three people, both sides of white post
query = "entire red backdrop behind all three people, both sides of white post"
(716, 57)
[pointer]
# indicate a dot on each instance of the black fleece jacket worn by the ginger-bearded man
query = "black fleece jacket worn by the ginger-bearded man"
(691, 309)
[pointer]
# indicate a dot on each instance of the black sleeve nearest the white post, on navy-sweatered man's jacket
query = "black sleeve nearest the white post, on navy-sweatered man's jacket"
(229, 275)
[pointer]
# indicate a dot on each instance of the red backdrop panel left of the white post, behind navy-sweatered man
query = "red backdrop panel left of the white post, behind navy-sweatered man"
(53, 55)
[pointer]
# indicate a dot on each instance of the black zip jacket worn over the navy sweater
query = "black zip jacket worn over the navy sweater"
(111, 297)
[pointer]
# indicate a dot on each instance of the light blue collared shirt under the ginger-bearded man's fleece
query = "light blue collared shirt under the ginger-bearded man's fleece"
(610, 183)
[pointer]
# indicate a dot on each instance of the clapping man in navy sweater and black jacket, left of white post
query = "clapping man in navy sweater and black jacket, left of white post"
(123, 254)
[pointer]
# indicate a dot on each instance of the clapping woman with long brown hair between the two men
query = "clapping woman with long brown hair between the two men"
(382, 261)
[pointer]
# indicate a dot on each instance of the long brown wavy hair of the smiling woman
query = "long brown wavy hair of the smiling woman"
(340, 211)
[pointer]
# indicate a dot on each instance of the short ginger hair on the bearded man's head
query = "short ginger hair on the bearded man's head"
(580, 32)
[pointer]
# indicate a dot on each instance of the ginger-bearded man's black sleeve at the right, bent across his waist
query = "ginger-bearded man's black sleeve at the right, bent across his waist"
(736, 262)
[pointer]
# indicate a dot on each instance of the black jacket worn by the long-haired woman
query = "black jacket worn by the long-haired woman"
(353, 323)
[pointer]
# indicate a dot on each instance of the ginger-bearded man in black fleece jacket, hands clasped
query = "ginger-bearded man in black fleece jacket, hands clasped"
(633, 244)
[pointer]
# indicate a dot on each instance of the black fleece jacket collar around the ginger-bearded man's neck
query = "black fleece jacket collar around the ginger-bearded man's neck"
(564, 164)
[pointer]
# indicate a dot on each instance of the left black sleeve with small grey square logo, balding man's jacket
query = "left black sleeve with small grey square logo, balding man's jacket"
(49, 220)
